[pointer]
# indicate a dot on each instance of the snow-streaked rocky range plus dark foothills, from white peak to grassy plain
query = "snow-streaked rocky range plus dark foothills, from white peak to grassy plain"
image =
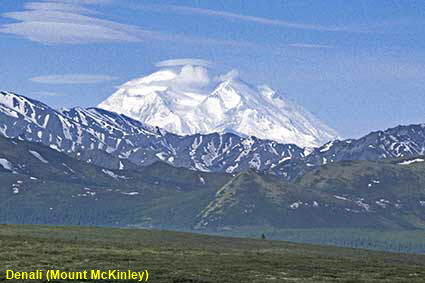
(97, 167)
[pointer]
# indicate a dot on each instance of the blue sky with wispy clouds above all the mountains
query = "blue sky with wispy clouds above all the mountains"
(357, 65)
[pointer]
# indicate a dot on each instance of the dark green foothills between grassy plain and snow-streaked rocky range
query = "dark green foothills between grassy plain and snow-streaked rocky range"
(40, 185)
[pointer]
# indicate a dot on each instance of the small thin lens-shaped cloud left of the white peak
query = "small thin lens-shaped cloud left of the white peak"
(72, 79)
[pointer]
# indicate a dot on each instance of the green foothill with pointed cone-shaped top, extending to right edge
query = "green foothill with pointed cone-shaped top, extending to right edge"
(368, 194)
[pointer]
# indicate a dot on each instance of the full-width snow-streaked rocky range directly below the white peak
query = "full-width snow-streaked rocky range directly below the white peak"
(115, 141)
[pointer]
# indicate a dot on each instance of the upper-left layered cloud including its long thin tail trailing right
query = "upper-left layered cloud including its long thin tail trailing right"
(71, 22)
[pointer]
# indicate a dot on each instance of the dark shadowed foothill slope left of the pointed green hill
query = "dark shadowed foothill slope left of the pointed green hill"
(41, 185)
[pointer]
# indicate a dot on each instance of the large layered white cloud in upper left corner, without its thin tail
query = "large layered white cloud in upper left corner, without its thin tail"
(55, 22)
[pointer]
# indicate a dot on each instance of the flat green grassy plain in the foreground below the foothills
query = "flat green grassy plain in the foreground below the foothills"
(184, 257)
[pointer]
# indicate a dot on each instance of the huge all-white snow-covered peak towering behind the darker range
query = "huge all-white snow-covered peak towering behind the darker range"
(186, 99)
